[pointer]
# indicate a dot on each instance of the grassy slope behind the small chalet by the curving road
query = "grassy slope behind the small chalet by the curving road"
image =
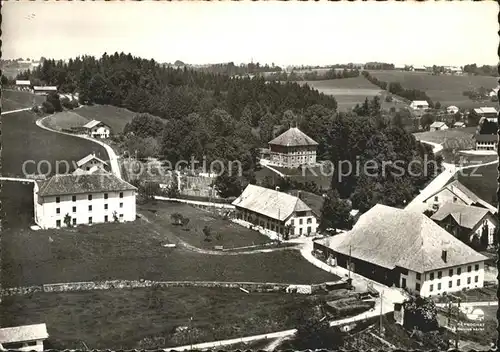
(113, 116)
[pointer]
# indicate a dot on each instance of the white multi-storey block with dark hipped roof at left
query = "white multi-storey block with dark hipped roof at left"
(85, 199)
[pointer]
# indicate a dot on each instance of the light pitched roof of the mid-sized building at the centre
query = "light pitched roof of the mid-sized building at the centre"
(270, 203)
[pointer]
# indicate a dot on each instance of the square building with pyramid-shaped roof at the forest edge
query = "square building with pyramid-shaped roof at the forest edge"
(292, 148)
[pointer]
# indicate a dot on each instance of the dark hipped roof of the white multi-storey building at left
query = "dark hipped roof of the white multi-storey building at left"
(88, 183)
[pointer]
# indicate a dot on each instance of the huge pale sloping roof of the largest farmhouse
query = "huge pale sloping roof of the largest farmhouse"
(391, 237)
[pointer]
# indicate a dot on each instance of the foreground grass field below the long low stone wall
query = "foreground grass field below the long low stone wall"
(127, 319)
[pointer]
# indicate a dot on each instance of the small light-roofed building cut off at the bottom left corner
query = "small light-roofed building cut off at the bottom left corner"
(23, 338)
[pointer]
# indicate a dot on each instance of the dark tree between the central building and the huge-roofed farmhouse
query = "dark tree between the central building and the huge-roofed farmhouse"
(335, 213)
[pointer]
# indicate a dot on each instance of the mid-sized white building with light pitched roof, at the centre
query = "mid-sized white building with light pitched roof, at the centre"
(275, 211)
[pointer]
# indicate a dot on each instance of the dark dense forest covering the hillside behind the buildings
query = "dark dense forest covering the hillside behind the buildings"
(184, 113)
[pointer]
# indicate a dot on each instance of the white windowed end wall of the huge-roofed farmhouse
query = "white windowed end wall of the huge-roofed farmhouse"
(441, 285)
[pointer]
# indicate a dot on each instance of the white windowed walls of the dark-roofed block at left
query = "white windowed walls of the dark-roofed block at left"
(80, 212)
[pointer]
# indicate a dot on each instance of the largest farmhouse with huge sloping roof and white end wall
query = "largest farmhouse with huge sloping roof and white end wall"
(405, 249)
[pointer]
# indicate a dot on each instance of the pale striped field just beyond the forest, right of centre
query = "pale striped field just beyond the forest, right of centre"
(347, 91)
